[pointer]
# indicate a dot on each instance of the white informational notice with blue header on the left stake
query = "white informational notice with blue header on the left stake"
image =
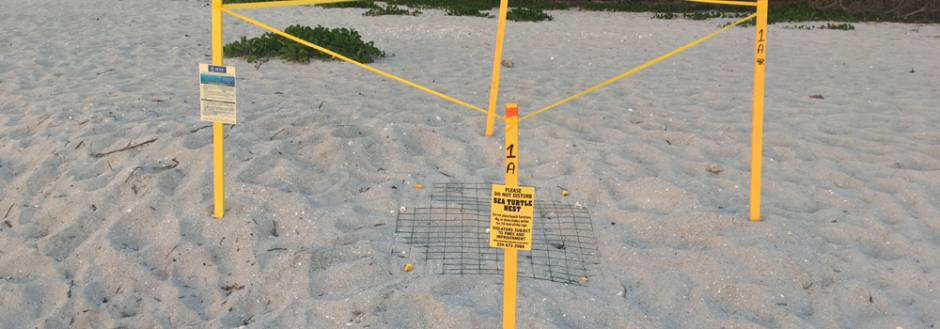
(217, 93)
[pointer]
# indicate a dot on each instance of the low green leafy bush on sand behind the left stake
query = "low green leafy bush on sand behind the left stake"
(346, 42)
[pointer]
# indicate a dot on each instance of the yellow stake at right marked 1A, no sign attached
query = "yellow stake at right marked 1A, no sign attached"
(760, 61)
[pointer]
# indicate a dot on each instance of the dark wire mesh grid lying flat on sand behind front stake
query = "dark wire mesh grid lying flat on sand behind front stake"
(452, 233)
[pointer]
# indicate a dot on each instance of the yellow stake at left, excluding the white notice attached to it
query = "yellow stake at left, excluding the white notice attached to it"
(218, 131)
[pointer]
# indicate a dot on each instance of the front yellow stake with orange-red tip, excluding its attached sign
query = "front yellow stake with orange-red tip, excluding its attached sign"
(512, 180)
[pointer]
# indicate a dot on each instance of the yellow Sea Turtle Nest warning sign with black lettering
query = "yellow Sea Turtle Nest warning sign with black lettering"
(511, 216)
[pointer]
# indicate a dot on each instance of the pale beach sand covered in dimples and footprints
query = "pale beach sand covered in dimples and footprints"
(852, 181)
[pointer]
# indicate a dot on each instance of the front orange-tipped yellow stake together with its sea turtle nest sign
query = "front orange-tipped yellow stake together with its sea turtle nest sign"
(511, 216)
